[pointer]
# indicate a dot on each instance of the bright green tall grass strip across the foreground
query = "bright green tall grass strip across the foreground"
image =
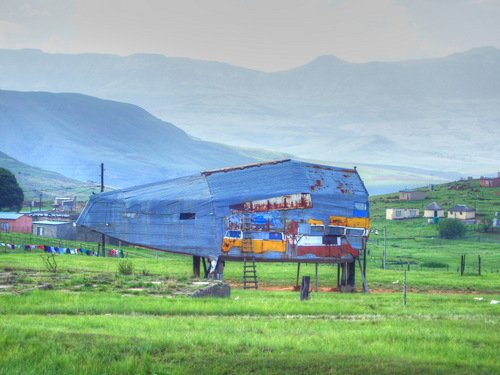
(433, 334)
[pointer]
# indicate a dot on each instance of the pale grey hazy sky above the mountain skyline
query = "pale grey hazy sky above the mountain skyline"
(267, 35)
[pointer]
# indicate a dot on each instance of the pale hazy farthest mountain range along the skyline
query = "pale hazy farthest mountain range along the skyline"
(438, 114)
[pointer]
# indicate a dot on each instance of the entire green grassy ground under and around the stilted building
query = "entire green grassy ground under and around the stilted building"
(88, 318)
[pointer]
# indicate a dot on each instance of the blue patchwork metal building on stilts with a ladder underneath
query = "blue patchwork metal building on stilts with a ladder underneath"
(279, 211)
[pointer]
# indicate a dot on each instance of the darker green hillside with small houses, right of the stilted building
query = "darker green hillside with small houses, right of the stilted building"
(416, 244)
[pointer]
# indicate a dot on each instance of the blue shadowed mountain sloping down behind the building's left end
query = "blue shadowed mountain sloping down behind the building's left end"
(73, 134)
